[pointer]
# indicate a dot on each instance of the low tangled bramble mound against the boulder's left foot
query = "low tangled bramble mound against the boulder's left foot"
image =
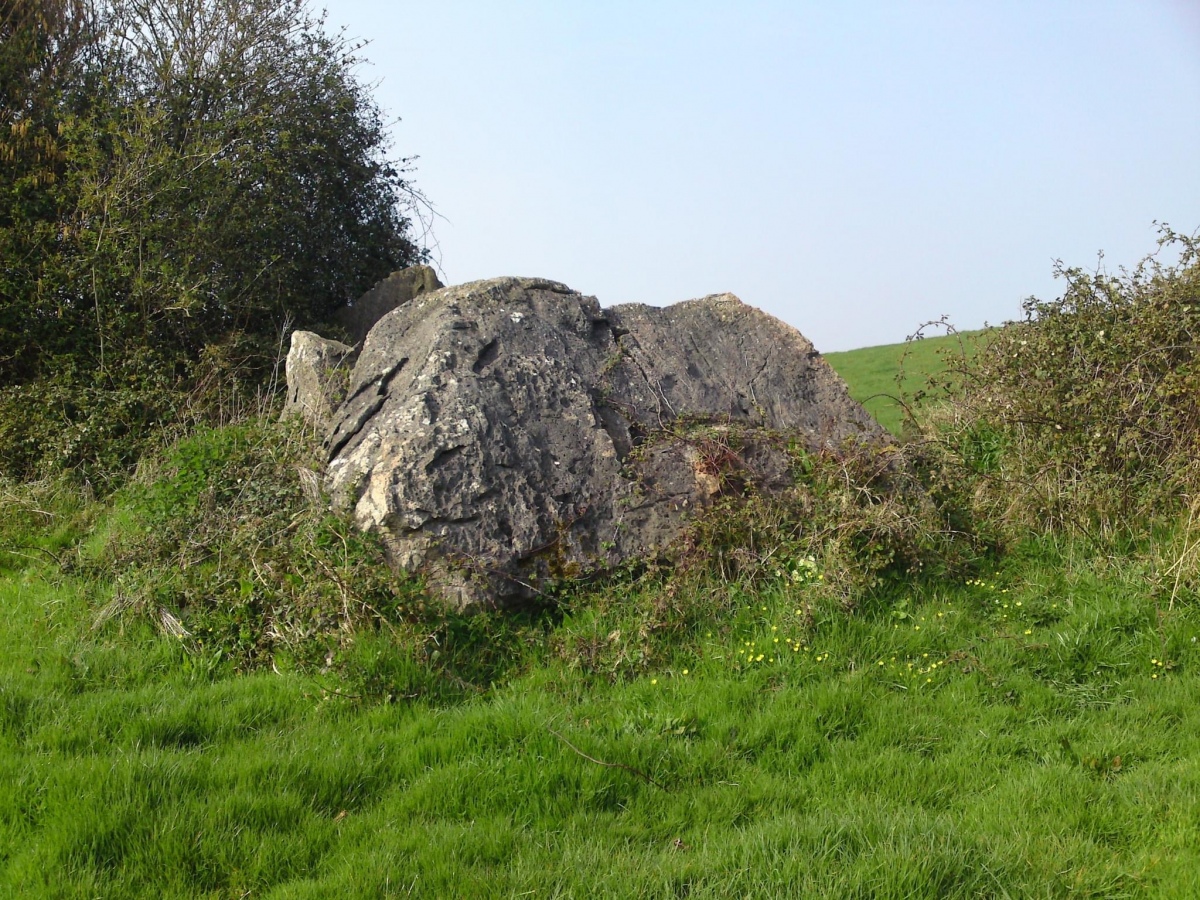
(221, 543)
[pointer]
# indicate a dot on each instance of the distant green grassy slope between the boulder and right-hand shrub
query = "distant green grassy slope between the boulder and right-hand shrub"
(872, 373)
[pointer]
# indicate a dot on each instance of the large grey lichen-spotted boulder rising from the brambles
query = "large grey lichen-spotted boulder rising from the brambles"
(506, 433)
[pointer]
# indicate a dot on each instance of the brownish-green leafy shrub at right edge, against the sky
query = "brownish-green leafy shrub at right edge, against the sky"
(1087, 413)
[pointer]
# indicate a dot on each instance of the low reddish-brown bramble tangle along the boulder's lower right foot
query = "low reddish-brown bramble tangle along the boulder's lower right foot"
(854, 527)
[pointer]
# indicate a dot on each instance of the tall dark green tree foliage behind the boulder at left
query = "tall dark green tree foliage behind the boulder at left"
(183, 179)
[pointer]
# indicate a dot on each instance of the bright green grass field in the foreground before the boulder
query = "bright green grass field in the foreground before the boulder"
(1029, 733)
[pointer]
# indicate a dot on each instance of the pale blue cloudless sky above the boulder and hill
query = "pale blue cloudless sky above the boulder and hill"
(855, 169)
